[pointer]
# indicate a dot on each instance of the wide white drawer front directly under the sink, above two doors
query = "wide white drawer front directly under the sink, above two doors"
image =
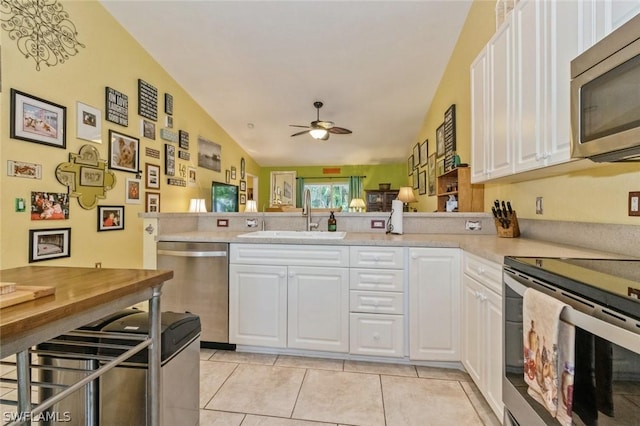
(289, 255)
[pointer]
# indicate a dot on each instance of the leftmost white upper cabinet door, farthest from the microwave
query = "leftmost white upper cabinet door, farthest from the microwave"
(479, 117)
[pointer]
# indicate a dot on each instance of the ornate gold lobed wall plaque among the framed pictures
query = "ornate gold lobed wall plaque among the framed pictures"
(87, 176)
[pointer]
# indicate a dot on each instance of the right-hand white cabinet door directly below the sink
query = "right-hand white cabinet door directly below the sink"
(318, 301)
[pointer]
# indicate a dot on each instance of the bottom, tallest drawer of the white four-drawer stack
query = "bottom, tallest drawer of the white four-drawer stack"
(378, 335)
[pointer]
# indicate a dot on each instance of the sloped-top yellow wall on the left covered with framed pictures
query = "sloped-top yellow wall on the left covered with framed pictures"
(110, 58)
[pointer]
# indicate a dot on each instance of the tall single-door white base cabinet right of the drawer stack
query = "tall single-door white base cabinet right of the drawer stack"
(434, 304)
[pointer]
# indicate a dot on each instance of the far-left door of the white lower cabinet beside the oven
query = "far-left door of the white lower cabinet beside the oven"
(471, 328)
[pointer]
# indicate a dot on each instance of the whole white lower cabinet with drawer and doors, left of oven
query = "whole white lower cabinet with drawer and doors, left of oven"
(482, 327)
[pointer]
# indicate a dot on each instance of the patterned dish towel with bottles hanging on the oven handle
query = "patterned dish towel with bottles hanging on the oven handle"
(548, 354)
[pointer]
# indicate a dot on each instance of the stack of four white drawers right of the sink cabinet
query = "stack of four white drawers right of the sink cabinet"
(377, 301)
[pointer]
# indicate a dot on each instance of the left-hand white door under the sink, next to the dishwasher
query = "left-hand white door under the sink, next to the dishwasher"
(258, 305)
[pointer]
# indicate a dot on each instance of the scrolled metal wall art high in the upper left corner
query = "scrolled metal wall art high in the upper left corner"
(42, 30)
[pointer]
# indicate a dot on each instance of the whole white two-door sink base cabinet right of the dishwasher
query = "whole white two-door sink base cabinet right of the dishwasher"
(289, 296)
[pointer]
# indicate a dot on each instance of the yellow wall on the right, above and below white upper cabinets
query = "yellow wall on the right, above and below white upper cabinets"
(598, 194)
